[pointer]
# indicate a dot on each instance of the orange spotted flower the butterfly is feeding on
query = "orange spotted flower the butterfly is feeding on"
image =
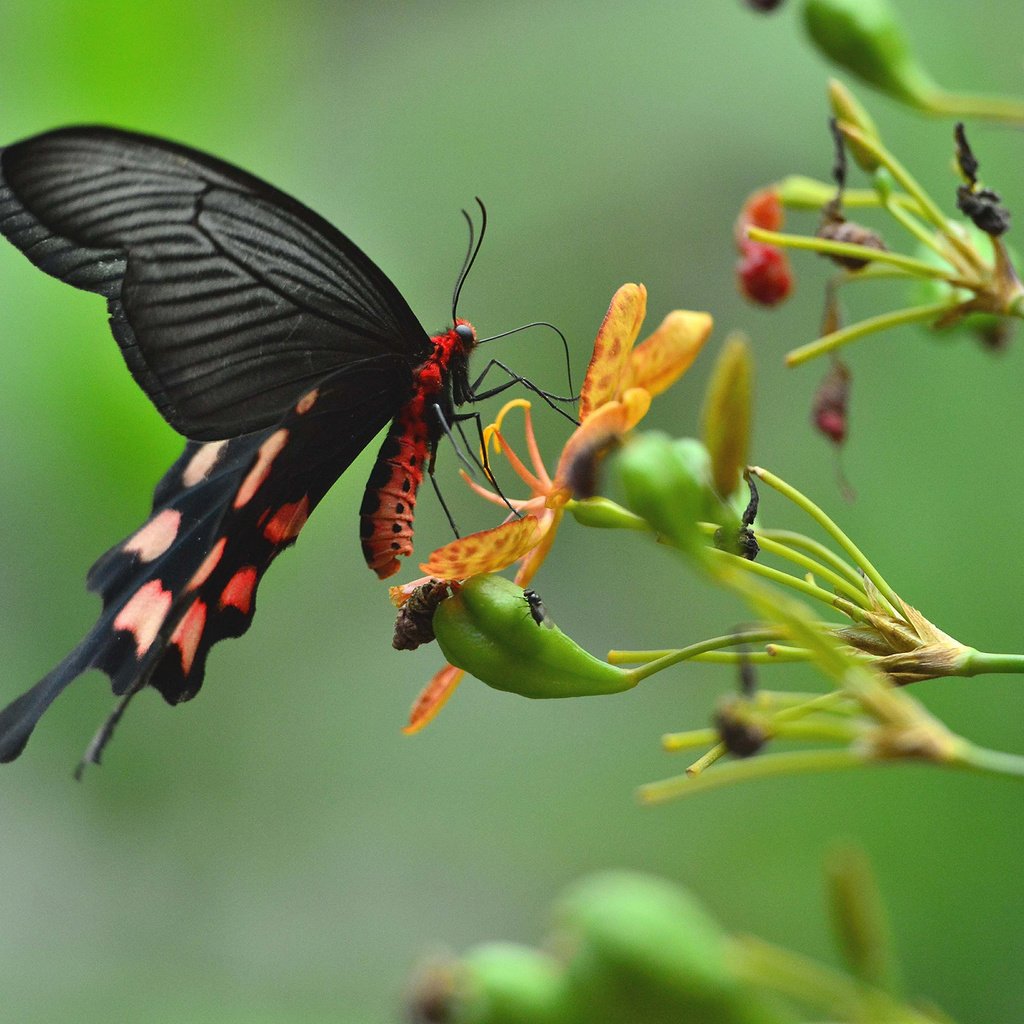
(622, 379)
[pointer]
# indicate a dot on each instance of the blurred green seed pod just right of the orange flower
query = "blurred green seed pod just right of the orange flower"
(668, 484)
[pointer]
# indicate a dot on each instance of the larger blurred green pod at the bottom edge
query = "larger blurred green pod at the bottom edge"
(641, 949)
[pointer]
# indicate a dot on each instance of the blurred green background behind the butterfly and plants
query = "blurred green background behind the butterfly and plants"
(277, 850)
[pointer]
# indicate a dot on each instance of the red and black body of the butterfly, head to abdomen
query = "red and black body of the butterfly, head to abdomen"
(390, 503)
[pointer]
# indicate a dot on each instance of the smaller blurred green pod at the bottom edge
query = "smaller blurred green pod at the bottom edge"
(505, 984)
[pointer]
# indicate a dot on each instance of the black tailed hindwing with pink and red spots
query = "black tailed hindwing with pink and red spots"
(188, 578)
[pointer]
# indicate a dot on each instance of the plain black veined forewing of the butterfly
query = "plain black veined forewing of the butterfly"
(228, 297)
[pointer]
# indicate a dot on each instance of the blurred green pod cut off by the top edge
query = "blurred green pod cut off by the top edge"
(866, 37)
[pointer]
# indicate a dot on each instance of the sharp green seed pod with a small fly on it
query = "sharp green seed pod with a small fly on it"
(488, 629)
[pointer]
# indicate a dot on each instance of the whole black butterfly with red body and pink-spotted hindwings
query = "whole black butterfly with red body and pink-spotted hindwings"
(267, 338)
